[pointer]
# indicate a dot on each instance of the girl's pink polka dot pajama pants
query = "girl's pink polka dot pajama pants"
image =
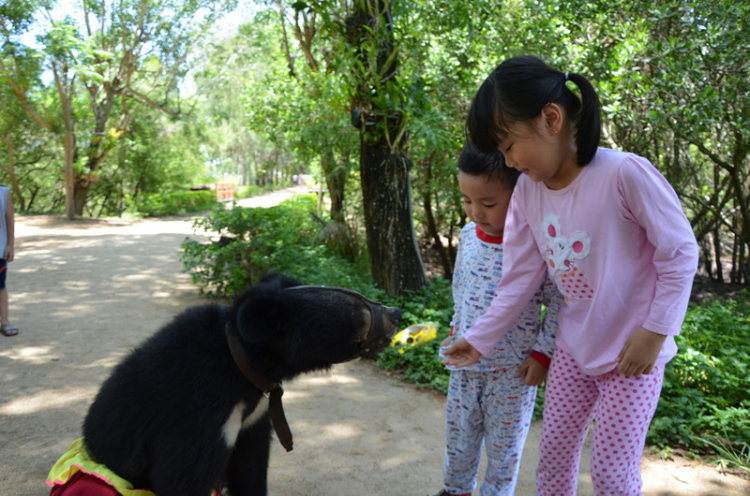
(623, 408)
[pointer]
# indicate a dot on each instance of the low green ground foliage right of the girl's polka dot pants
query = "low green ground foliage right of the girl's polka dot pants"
(704, 400)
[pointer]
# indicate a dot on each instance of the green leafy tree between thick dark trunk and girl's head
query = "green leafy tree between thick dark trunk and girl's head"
(447, 42)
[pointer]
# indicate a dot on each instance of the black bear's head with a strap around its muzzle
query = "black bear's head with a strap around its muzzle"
(288, 328)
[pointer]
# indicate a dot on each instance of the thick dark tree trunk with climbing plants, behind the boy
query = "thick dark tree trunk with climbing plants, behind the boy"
(395, 262)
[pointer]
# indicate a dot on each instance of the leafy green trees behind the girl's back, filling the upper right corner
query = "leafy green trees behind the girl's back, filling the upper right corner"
(675, 89)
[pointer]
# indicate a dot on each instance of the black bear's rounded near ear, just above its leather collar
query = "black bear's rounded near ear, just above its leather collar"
(261, 316)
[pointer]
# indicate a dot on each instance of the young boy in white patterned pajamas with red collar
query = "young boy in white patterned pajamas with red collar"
(492, 401)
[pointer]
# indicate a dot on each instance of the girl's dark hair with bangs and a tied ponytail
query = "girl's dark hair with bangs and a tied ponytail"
(517, 91)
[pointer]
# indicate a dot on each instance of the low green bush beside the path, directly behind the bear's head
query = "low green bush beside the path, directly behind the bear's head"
(254, 241)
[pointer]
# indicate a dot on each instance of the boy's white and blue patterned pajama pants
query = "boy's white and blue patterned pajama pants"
(490, 408)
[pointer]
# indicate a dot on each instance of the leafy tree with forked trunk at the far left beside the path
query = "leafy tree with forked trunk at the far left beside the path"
(127, 57)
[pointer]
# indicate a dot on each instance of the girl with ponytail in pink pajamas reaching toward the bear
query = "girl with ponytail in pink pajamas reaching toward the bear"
(611, 232)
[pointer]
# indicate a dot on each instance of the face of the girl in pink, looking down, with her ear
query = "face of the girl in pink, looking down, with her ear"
(542, 149)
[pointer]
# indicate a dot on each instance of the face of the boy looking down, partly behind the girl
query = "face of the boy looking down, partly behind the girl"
(485, 202)
